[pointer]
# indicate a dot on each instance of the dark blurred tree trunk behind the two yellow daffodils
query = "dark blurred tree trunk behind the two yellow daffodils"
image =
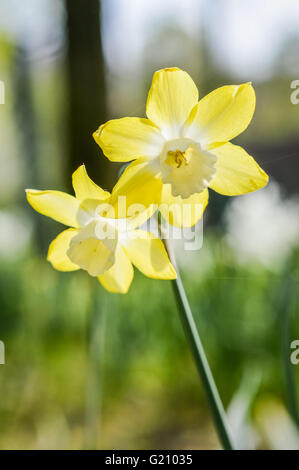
(87, 89)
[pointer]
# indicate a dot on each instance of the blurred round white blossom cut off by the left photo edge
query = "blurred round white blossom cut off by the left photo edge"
(15, 233)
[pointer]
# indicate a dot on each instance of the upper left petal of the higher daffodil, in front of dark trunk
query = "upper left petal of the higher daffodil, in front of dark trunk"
(128, 138)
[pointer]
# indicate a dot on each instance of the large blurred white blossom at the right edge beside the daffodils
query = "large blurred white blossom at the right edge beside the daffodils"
(263, 226)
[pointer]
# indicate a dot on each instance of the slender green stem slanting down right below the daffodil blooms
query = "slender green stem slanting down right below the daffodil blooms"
(200, 358)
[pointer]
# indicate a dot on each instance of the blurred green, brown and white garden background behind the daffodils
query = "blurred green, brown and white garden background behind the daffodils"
(86, 369)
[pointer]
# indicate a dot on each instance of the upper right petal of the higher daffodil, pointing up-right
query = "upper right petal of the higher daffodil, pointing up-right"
(221, 115)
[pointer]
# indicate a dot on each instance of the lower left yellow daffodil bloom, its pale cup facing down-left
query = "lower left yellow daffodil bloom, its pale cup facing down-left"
(99, 241)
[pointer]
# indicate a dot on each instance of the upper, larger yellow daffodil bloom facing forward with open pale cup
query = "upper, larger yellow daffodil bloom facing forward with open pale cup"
(183, 148)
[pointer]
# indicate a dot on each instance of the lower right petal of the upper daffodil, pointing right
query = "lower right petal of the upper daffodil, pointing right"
(236, 171)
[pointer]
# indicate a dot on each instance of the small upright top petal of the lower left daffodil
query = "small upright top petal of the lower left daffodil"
(85, 188)
